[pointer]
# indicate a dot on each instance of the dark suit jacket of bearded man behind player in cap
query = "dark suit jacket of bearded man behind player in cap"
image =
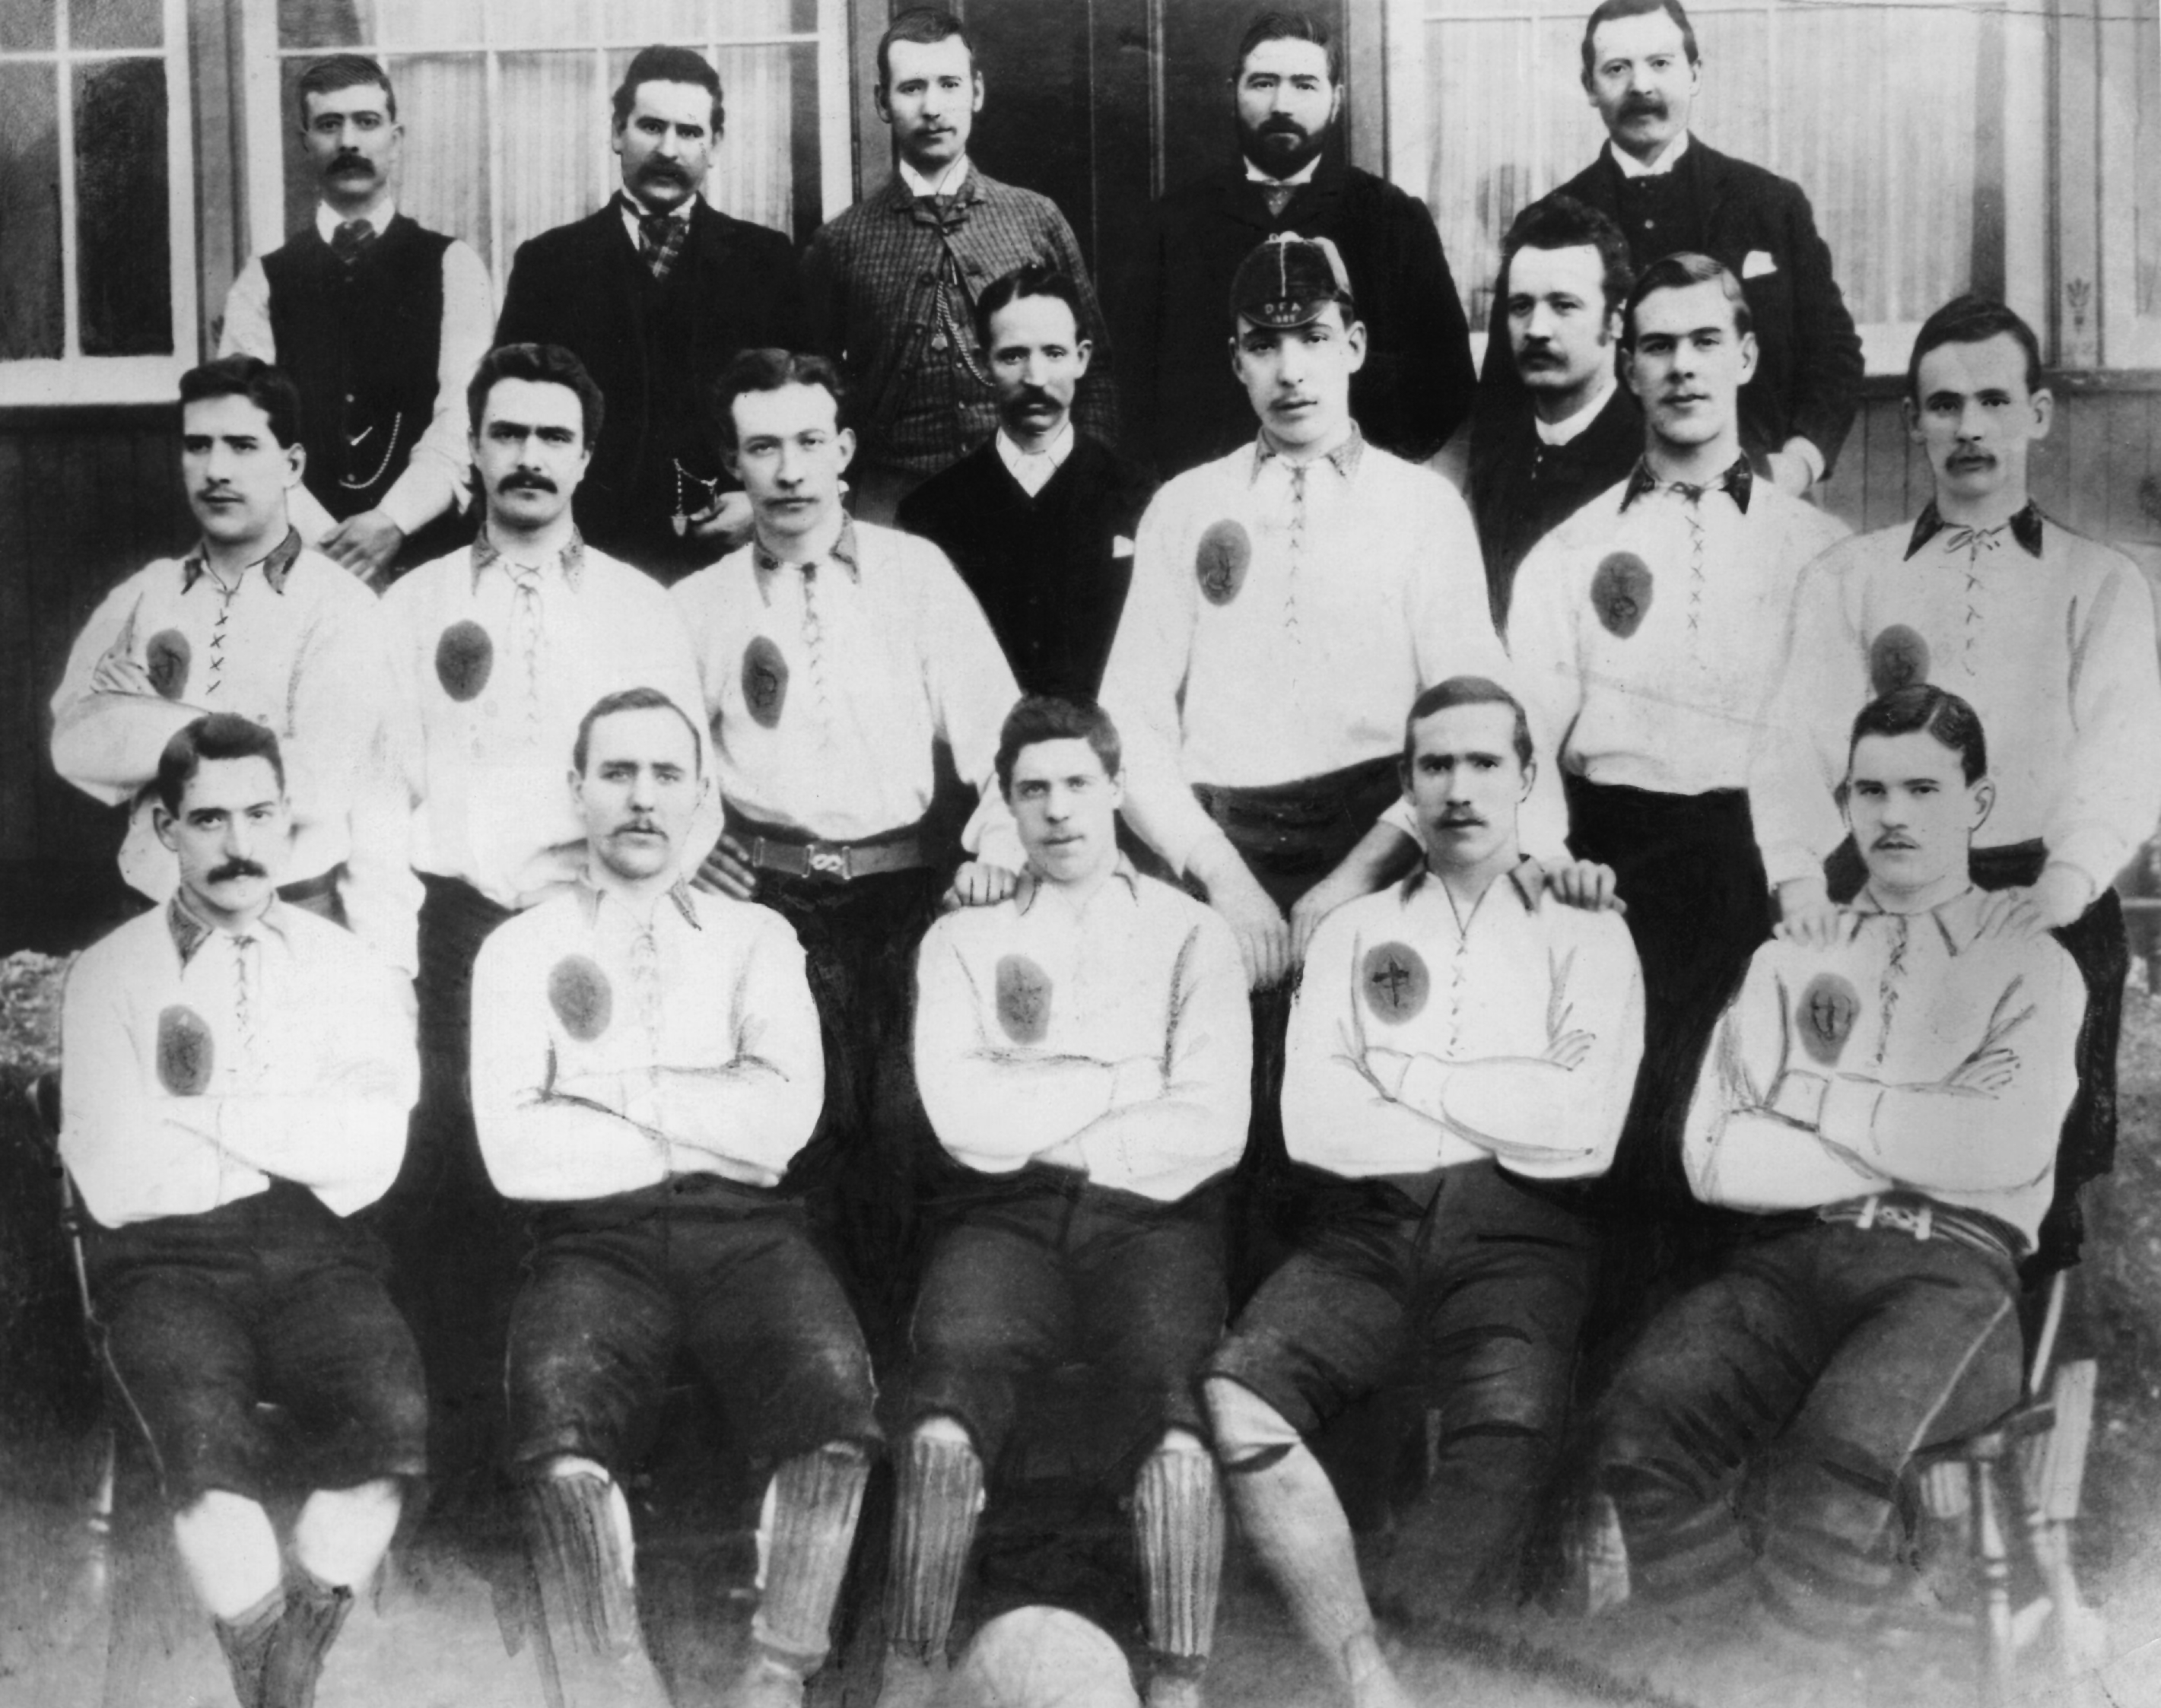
(1175, 314)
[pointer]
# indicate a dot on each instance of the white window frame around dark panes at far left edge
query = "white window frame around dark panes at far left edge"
(75, 379)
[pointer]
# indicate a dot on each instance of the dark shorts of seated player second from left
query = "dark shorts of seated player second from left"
(619, 1286)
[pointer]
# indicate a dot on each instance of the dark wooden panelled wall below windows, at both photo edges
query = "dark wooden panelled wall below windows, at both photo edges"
(90, 496)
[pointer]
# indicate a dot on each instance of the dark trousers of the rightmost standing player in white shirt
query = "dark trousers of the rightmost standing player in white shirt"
(2104, 955)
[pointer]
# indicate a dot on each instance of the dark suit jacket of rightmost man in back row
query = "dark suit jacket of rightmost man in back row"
(1810, 364)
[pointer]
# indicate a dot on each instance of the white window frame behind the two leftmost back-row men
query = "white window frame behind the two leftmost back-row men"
(265, 113)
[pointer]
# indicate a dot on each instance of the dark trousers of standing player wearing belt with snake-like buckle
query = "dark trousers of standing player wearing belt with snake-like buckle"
(872, 1158)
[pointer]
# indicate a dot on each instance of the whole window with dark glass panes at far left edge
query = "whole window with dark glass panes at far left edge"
(96, 200)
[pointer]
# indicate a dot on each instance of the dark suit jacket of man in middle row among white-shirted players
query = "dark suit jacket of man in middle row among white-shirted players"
(1047, 571)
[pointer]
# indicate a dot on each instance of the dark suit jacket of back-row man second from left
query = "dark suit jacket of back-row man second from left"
(587, 288)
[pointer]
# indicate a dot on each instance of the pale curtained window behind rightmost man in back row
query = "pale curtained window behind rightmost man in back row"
(1916, 128)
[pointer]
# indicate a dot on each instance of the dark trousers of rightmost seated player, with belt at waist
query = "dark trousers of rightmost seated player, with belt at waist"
(1771, 1420)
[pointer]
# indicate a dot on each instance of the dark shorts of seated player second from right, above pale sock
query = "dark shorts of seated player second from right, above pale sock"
(1479, 1299)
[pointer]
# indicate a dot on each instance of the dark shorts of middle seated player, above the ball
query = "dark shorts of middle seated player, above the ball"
(1043, 1269)
